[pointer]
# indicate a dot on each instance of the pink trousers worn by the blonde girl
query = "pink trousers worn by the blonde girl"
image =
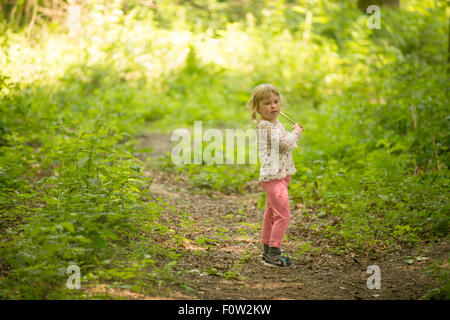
(278, 213)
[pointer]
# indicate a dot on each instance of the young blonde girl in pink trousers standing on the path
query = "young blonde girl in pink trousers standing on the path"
(276, 169)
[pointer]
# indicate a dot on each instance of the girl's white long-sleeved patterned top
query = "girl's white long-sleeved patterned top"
(273, 137)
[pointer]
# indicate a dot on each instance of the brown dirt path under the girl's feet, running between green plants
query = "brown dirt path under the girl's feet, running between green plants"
(221, 255)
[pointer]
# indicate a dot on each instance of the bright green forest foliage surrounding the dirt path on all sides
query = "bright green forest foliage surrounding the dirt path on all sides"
(374, 154)
